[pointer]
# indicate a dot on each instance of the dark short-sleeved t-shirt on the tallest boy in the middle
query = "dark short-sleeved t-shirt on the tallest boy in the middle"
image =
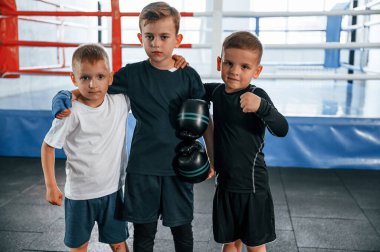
(156, 96)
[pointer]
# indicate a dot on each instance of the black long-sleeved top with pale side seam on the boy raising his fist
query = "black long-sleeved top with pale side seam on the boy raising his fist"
(239, 138)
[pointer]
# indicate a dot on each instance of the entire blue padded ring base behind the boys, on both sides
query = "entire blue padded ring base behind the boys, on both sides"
(312, 142)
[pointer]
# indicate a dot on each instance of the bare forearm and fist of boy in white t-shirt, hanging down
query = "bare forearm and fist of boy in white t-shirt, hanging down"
(53, 195)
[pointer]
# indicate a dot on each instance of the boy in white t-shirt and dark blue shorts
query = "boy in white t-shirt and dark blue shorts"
(93, 139)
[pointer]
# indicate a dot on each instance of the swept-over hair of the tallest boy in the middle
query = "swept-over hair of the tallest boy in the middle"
(158, 10)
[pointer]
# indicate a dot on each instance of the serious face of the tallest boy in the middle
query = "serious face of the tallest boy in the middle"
(159, 40)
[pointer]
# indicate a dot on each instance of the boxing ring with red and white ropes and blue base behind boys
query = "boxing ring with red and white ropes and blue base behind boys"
(330, 127)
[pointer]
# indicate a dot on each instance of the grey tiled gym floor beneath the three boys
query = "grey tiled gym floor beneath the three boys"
(316, 210)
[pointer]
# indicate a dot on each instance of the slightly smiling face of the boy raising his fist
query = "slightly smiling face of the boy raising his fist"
(238, 67)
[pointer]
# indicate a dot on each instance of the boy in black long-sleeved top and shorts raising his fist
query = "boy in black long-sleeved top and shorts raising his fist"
(243, 207)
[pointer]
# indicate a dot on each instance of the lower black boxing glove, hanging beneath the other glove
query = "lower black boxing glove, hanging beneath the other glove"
(191, 163)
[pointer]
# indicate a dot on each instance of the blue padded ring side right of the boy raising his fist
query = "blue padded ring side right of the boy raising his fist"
(327, 142)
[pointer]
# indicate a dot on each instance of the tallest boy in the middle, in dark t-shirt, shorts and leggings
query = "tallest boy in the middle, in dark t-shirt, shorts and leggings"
(157, 90)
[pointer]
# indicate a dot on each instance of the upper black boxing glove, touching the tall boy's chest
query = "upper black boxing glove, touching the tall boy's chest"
(193, 119)
